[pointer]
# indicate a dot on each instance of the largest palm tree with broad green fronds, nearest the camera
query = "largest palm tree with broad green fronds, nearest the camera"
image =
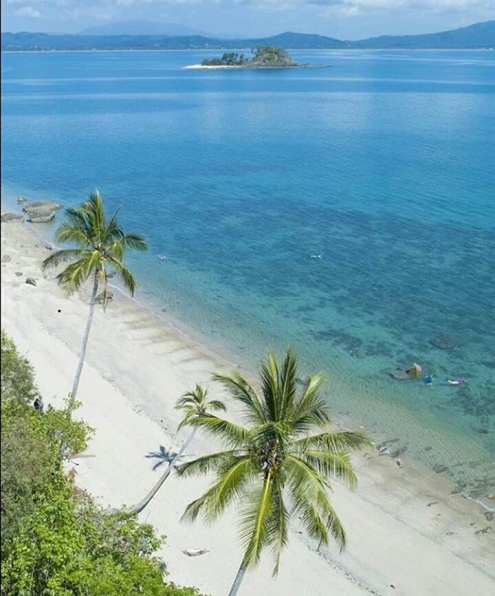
(273, 468)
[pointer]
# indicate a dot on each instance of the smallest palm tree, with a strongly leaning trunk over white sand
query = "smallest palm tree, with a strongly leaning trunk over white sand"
(195, 404)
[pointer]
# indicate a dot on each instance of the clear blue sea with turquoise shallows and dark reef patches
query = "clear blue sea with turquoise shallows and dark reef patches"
(347, 211)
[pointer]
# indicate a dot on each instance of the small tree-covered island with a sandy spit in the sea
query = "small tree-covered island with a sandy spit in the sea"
(263, 57)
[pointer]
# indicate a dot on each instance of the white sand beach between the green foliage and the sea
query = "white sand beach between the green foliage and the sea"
(407, 533)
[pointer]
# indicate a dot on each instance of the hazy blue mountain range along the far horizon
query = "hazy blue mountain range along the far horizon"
(477, 36)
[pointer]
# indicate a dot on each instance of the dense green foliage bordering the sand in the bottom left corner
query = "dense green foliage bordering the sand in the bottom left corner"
(55, 540)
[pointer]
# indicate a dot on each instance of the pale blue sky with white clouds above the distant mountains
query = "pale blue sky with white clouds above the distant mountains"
(341, 19)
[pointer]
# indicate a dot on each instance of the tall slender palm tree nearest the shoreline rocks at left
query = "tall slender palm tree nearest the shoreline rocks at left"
(99, 245)
